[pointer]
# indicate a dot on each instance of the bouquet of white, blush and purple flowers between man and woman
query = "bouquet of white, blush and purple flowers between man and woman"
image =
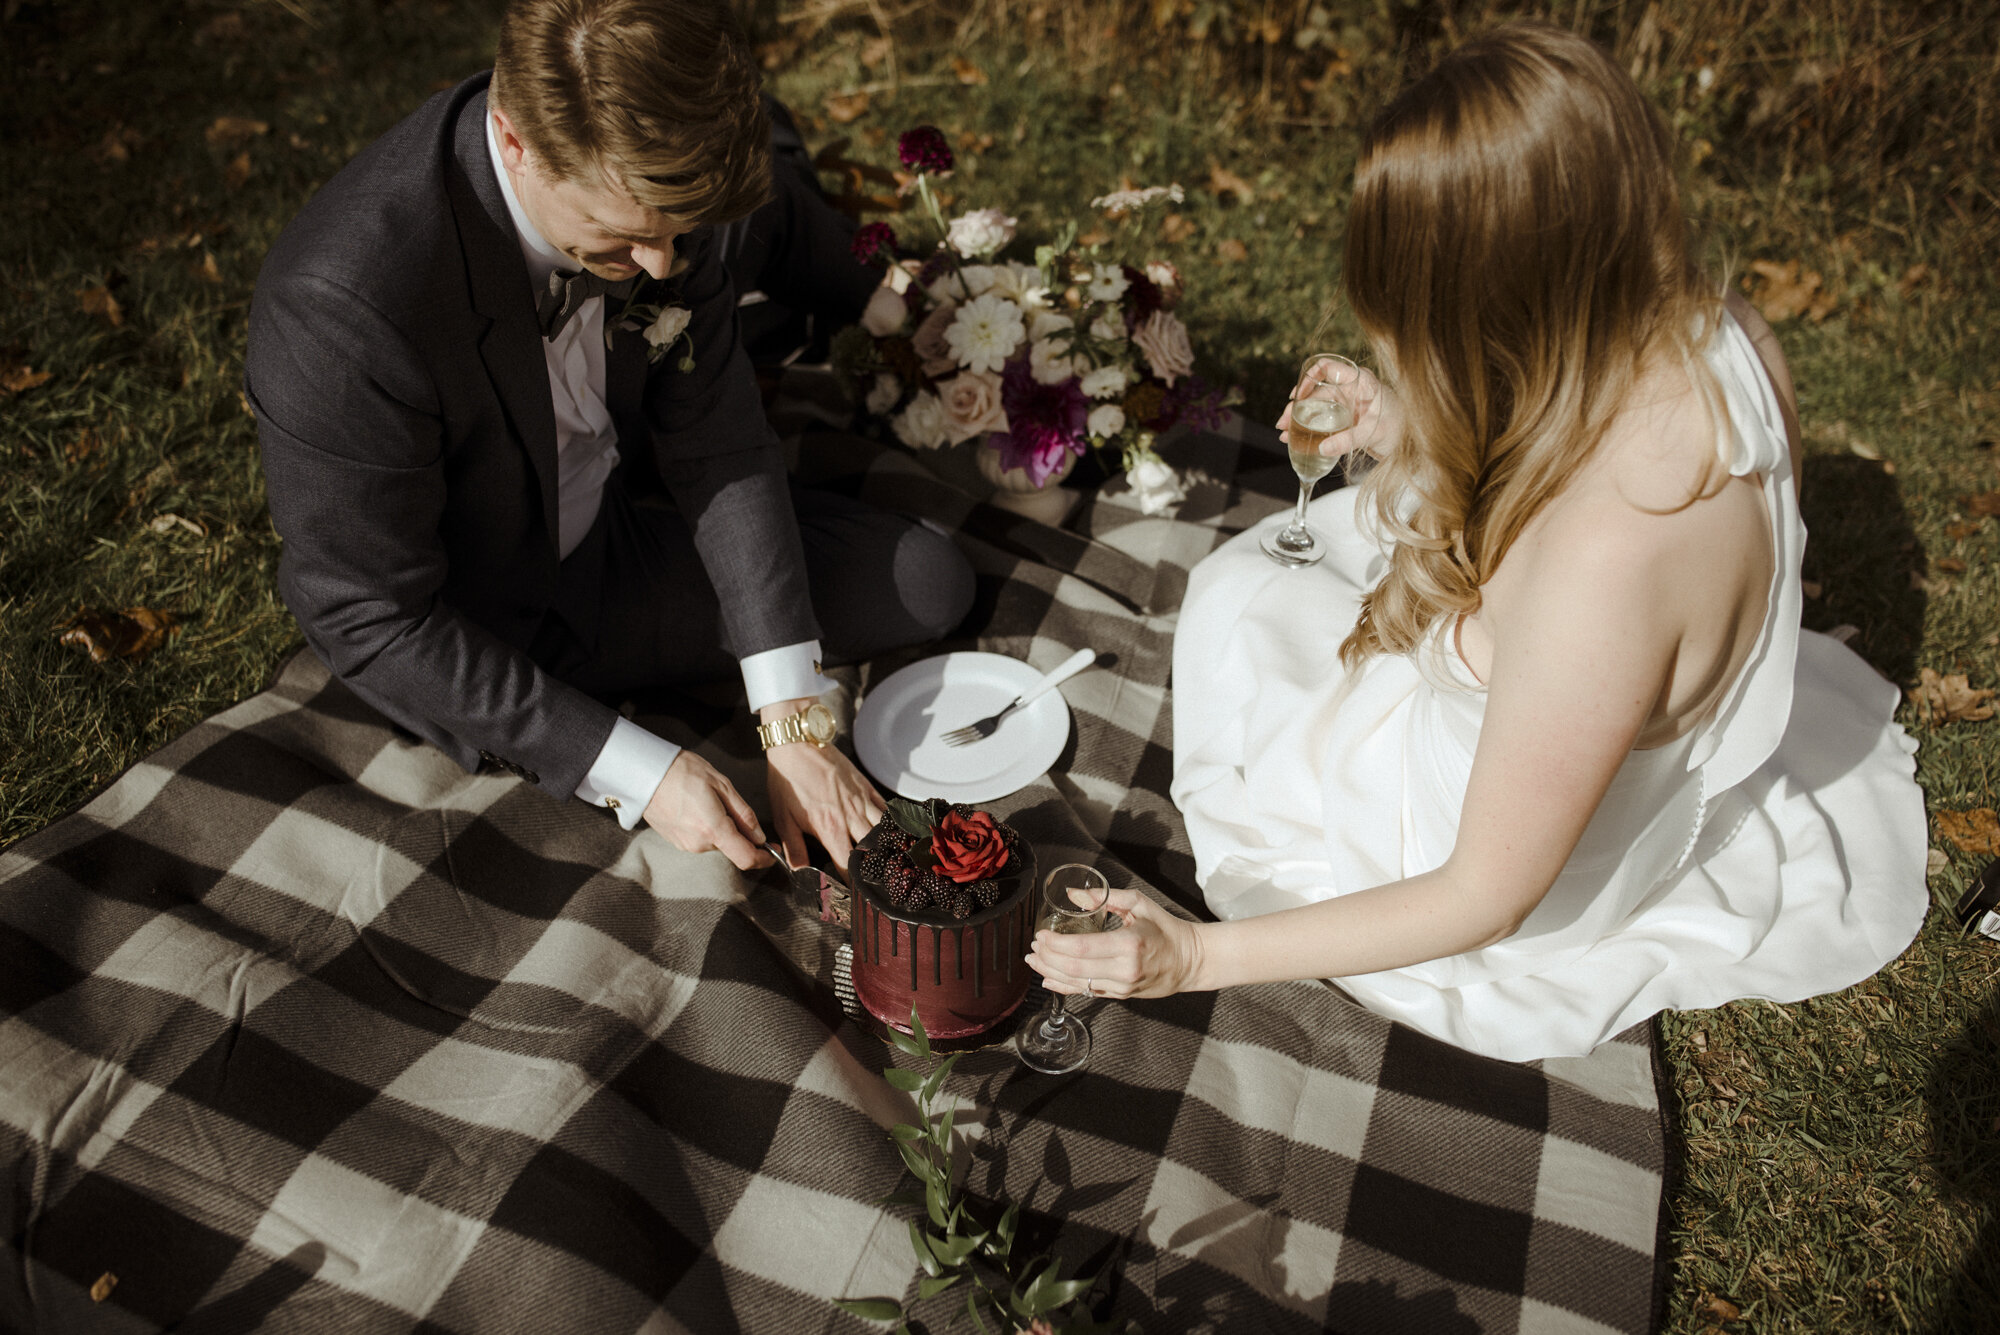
(1039, 363)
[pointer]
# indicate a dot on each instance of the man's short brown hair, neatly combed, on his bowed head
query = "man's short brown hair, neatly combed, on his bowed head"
(657, 97)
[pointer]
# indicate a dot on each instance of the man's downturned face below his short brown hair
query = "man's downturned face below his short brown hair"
(595, 225)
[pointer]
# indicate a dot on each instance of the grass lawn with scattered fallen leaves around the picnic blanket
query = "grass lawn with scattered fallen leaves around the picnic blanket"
(1841, 1156)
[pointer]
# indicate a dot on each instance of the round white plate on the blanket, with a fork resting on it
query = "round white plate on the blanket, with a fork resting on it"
(903, 720)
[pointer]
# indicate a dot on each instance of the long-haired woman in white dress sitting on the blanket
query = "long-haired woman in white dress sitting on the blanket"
(1539, 748)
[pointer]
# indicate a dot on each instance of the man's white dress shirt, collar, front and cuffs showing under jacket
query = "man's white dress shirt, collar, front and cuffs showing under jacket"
(633, 760)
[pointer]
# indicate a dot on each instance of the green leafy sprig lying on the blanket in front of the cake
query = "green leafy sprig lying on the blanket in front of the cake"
(961, 1240)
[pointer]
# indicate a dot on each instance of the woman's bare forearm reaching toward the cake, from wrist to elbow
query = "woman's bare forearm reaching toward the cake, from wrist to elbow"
(1385, 928)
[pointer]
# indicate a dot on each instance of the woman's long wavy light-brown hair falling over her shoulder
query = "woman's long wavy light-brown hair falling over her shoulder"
(1517, 255)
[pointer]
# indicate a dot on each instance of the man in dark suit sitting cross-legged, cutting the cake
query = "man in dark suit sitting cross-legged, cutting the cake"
(515, 447)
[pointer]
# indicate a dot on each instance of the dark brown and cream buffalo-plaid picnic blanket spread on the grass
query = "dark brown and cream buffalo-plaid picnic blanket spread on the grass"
(305, 1028)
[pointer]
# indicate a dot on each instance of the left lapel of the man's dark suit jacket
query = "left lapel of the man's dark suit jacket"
(499, 281)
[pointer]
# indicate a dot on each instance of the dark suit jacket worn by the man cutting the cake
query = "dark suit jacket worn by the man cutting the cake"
(411, 451)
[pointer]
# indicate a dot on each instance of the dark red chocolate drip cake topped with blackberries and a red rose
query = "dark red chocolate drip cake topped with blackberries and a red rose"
(943, 918)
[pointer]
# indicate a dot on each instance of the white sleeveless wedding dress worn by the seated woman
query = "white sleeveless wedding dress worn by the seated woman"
(1773, 852)
